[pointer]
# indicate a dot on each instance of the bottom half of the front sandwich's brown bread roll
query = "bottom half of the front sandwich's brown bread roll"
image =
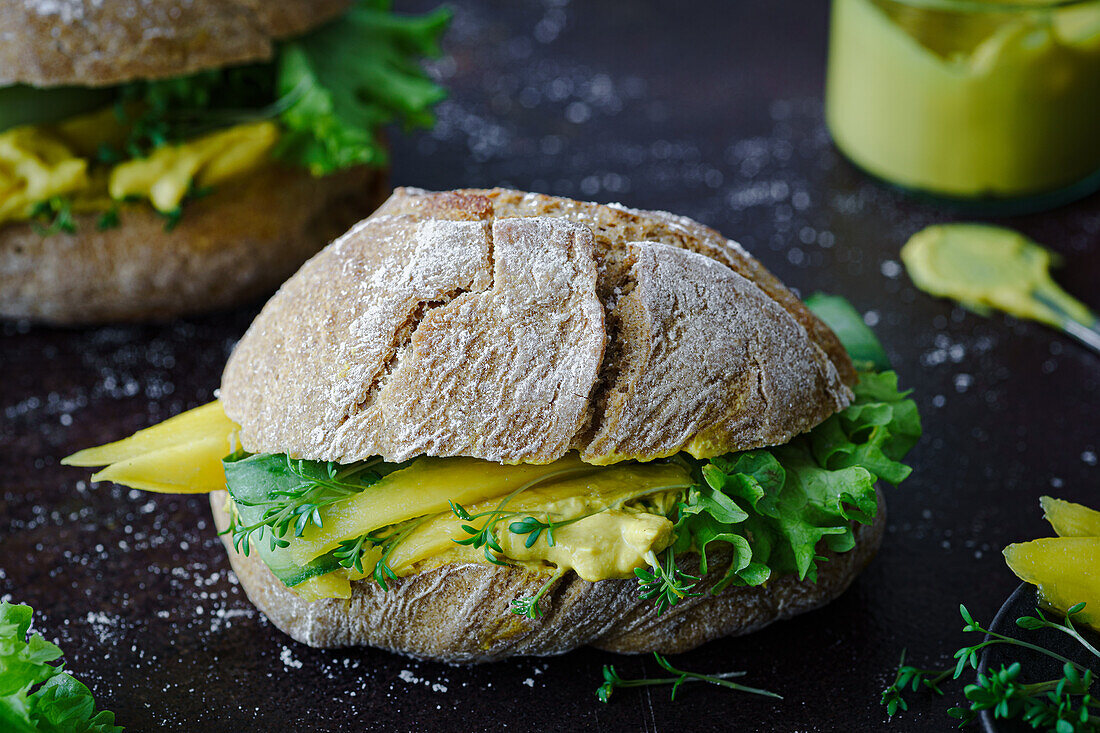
(461, 614)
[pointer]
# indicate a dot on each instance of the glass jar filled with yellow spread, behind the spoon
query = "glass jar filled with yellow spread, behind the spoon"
(973, 101)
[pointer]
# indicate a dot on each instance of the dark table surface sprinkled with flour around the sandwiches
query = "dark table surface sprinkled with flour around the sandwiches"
(708, 110)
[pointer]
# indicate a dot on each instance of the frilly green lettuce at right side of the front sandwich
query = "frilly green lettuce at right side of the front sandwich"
(774, 507)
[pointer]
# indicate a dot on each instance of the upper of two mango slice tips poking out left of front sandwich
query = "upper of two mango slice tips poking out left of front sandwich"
(202, 423)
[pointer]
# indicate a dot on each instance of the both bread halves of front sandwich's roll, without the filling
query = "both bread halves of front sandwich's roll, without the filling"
(516, 327)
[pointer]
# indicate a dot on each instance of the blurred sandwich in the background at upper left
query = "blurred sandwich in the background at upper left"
(173, 157)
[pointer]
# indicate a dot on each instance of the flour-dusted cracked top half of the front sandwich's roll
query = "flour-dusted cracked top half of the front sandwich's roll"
(514, 327)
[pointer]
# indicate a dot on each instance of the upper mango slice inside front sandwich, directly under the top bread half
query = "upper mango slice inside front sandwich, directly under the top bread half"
(421, 489)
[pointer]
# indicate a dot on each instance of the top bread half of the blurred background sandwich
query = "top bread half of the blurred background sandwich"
(107, 42)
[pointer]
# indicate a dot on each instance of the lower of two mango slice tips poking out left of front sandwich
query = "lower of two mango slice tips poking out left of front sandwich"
(191, 468)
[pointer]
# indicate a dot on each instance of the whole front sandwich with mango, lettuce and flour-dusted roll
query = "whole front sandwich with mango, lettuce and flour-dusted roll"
(487, 423)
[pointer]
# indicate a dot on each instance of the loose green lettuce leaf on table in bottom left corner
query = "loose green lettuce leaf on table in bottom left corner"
(35, 695)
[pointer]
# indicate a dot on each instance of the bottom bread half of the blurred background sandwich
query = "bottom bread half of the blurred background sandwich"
(233, 246)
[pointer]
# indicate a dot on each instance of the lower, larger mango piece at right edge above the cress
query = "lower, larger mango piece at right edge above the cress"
(1065, 570)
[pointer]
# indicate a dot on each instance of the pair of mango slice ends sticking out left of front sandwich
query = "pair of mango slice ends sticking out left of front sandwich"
(180, 456)
